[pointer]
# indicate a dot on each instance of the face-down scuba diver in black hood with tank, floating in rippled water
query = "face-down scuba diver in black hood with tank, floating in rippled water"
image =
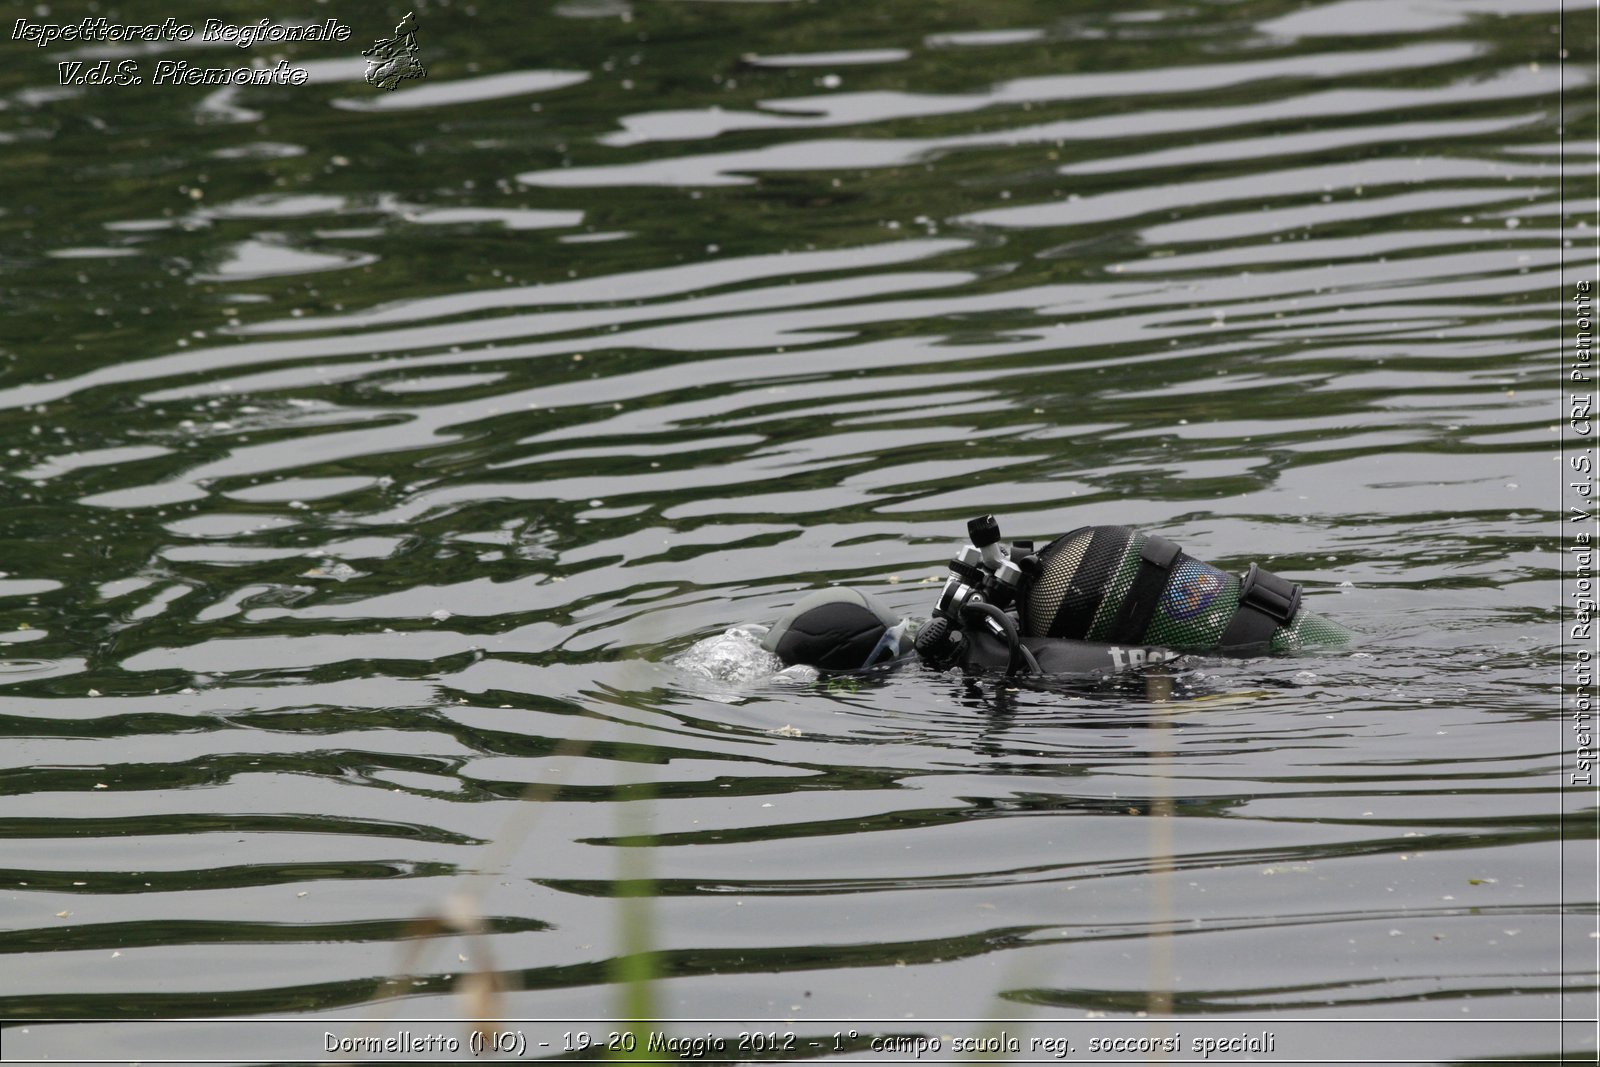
(1094, 602)
